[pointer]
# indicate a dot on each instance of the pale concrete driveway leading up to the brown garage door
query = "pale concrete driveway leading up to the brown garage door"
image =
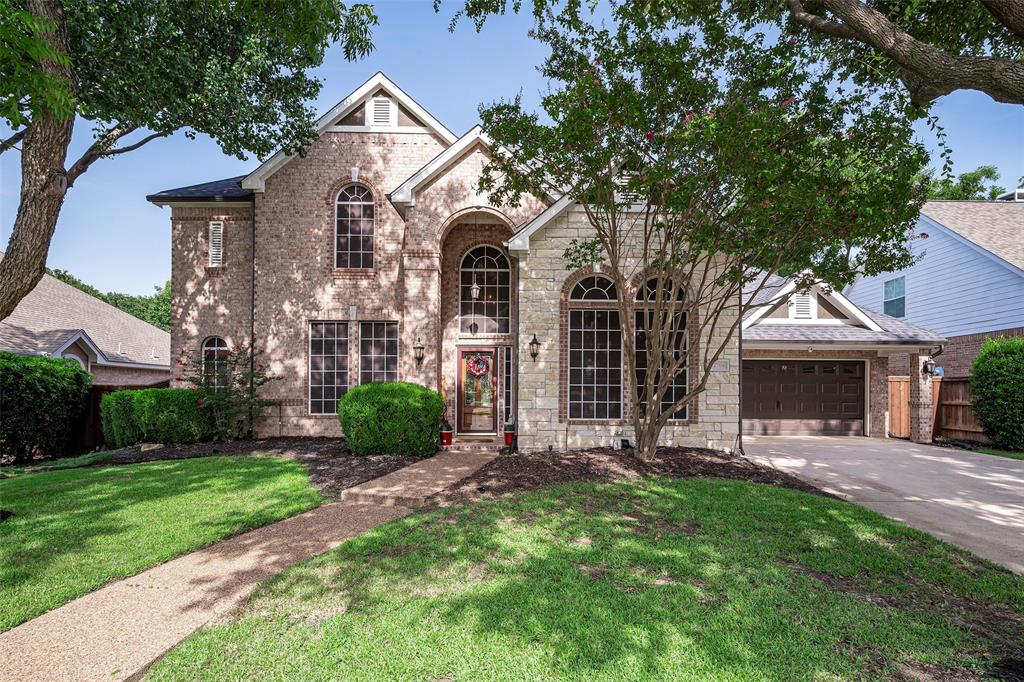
(973, 500)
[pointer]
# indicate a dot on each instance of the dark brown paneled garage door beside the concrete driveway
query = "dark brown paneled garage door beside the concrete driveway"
(803, 398)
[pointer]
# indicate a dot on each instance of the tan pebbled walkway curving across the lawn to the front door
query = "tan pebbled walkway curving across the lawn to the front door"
(118, 631)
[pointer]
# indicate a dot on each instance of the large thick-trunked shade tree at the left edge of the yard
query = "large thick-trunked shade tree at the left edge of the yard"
(141, 70)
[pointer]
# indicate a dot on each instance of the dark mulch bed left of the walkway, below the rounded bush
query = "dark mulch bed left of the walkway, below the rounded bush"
(332, 468)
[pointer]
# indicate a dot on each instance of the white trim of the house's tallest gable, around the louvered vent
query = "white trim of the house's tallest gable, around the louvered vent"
(337, 116)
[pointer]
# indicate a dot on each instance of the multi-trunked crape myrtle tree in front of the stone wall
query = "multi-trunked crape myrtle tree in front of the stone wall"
(707, 161)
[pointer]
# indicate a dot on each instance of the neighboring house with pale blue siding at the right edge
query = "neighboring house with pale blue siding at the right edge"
(967, 284)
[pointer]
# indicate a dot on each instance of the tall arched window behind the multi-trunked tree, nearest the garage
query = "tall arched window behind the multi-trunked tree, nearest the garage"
(673, 299)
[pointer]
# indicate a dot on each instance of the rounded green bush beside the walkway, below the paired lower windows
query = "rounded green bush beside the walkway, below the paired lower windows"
(392, 418)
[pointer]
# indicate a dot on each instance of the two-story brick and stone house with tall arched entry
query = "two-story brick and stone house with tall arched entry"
(373, 258)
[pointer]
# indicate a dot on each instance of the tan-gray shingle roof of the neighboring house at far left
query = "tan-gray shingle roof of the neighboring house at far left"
(54, 312)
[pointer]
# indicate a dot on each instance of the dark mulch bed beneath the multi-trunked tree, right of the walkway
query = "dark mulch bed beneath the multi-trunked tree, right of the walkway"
(509, 474)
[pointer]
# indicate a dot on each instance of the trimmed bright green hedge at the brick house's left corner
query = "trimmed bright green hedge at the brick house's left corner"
(154, 415)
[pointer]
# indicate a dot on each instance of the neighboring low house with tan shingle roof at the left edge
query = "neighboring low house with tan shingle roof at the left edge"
(60, 321)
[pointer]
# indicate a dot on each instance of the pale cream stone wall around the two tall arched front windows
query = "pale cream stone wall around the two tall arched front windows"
(542, 276)
